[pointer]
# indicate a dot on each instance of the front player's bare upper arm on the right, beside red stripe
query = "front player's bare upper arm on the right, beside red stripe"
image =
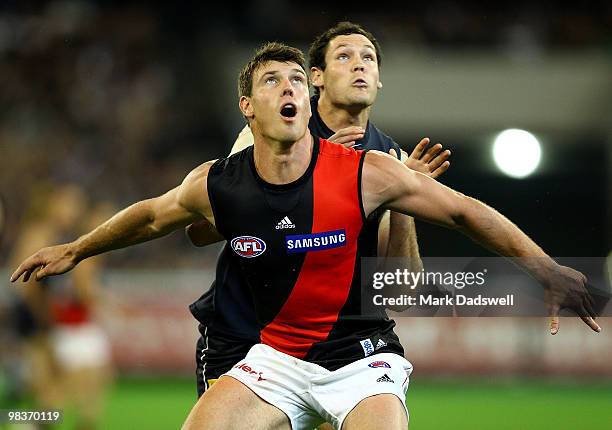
(388, 184)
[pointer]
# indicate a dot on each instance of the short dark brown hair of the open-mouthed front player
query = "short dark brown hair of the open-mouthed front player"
(271, 51)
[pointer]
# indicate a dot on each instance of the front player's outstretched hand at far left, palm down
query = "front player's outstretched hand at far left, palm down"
(53, 260)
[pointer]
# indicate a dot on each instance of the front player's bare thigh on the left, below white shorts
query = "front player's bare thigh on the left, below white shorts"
(230, 405)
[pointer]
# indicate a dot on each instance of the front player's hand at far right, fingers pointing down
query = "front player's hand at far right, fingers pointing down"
(566, 289)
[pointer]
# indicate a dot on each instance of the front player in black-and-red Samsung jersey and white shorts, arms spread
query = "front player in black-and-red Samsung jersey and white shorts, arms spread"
(307, 368)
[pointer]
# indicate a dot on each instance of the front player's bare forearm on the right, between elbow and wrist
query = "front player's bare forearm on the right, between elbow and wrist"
(498, 234)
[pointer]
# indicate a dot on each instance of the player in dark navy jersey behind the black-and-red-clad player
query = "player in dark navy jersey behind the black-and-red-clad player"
(344, 65)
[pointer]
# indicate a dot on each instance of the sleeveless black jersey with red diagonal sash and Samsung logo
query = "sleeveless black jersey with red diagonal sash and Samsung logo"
(299, 248)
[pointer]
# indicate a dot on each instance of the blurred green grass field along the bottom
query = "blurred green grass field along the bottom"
(446, 404)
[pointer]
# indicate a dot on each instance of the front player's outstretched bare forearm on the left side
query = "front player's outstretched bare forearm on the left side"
(135, 224)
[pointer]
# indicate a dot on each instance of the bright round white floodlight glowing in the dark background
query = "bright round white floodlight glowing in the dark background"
(516, 152)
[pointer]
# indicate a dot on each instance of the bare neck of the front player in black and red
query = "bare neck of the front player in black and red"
(280, 163)
